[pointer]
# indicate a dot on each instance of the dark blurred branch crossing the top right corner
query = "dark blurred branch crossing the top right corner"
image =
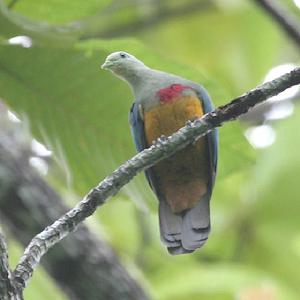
(284, 18)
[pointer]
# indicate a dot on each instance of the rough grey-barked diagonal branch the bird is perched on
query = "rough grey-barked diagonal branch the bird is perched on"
(164, 148)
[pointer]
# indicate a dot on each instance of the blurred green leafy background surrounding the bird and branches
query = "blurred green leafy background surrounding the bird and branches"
(50, 76)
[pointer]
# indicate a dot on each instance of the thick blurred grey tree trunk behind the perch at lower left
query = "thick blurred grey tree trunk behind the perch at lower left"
(84, 266)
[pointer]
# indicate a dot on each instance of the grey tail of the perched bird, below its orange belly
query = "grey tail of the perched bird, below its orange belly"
(185, 232)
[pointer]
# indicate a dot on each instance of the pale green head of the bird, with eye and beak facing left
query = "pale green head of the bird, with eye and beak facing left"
(122, 64)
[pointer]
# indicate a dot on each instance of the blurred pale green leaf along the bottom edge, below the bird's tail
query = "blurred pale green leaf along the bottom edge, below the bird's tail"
(222, 281)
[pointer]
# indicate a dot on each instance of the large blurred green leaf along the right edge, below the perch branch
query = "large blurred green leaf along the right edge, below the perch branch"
(274, 207)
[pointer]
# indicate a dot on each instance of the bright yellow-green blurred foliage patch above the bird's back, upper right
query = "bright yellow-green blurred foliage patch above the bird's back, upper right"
(224, 41)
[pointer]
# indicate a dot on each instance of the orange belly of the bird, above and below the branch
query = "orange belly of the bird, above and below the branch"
(182, 178)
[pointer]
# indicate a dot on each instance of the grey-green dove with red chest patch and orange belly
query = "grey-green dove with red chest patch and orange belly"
(183, 183)
